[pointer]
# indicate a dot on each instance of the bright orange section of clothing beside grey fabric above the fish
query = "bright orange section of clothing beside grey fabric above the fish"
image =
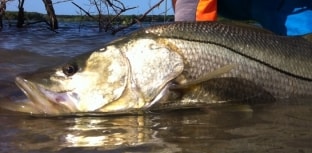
(206, 10)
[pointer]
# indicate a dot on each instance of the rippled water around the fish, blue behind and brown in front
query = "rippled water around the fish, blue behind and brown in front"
(279, 127)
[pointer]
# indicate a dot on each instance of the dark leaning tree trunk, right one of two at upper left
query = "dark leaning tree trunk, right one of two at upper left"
(51, 14)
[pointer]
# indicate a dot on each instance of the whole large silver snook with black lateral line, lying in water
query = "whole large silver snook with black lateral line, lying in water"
(183, 62)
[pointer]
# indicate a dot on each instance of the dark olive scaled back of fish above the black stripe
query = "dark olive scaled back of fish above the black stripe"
(290, 55)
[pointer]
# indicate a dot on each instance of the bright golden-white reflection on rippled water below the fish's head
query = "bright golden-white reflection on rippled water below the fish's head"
(106, 132)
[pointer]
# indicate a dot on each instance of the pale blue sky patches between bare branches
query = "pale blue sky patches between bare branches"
(67, 8)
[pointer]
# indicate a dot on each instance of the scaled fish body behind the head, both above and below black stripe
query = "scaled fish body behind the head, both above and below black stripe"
(279, 64)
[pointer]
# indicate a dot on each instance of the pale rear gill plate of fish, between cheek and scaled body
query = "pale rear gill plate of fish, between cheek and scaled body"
(153, 65)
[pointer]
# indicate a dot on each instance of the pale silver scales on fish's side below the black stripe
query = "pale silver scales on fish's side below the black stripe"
(210, 57)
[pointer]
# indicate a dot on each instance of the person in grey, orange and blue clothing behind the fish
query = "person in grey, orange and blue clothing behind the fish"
(284, 17)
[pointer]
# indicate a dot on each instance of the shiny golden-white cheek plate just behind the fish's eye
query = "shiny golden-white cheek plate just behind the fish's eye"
(103, 79)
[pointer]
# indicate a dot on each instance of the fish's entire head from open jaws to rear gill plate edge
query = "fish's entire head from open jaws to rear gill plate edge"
(125, 75)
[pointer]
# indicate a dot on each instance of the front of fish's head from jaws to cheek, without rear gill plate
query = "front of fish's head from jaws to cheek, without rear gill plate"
(85, 83)
